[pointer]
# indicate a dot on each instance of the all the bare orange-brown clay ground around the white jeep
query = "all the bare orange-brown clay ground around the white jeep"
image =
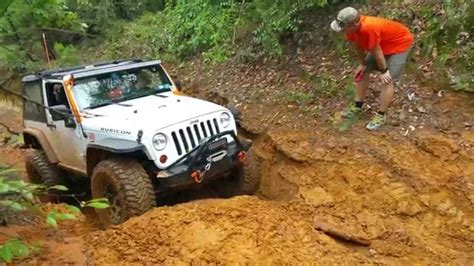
(409, 197)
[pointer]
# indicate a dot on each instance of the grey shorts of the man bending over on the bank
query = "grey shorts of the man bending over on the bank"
(395, 63)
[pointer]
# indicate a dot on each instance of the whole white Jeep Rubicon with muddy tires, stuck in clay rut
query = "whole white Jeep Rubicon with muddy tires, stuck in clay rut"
(125, 125)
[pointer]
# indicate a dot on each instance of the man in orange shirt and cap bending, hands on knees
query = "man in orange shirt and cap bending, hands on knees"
(382, 45)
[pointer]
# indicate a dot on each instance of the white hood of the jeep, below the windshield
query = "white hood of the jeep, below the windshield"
(149, 113)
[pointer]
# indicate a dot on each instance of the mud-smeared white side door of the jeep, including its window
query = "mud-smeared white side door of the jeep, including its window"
(64, 135)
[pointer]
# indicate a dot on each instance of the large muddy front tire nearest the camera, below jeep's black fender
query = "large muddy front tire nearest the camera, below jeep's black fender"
(130, 185)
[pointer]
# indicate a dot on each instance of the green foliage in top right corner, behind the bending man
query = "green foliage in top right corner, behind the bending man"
(444, 36)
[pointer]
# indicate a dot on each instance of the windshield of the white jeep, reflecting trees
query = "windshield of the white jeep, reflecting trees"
(114, 87)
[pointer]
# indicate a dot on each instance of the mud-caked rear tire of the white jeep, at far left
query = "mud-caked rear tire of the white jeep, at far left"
(41, 171)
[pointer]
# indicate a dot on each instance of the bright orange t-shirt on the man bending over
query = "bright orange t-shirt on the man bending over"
(393, 37)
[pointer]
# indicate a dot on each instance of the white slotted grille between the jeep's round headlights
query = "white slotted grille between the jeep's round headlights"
(188, 138)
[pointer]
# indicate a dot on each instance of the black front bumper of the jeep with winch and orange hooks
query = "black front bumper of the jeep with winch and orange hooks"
(210, 160)
